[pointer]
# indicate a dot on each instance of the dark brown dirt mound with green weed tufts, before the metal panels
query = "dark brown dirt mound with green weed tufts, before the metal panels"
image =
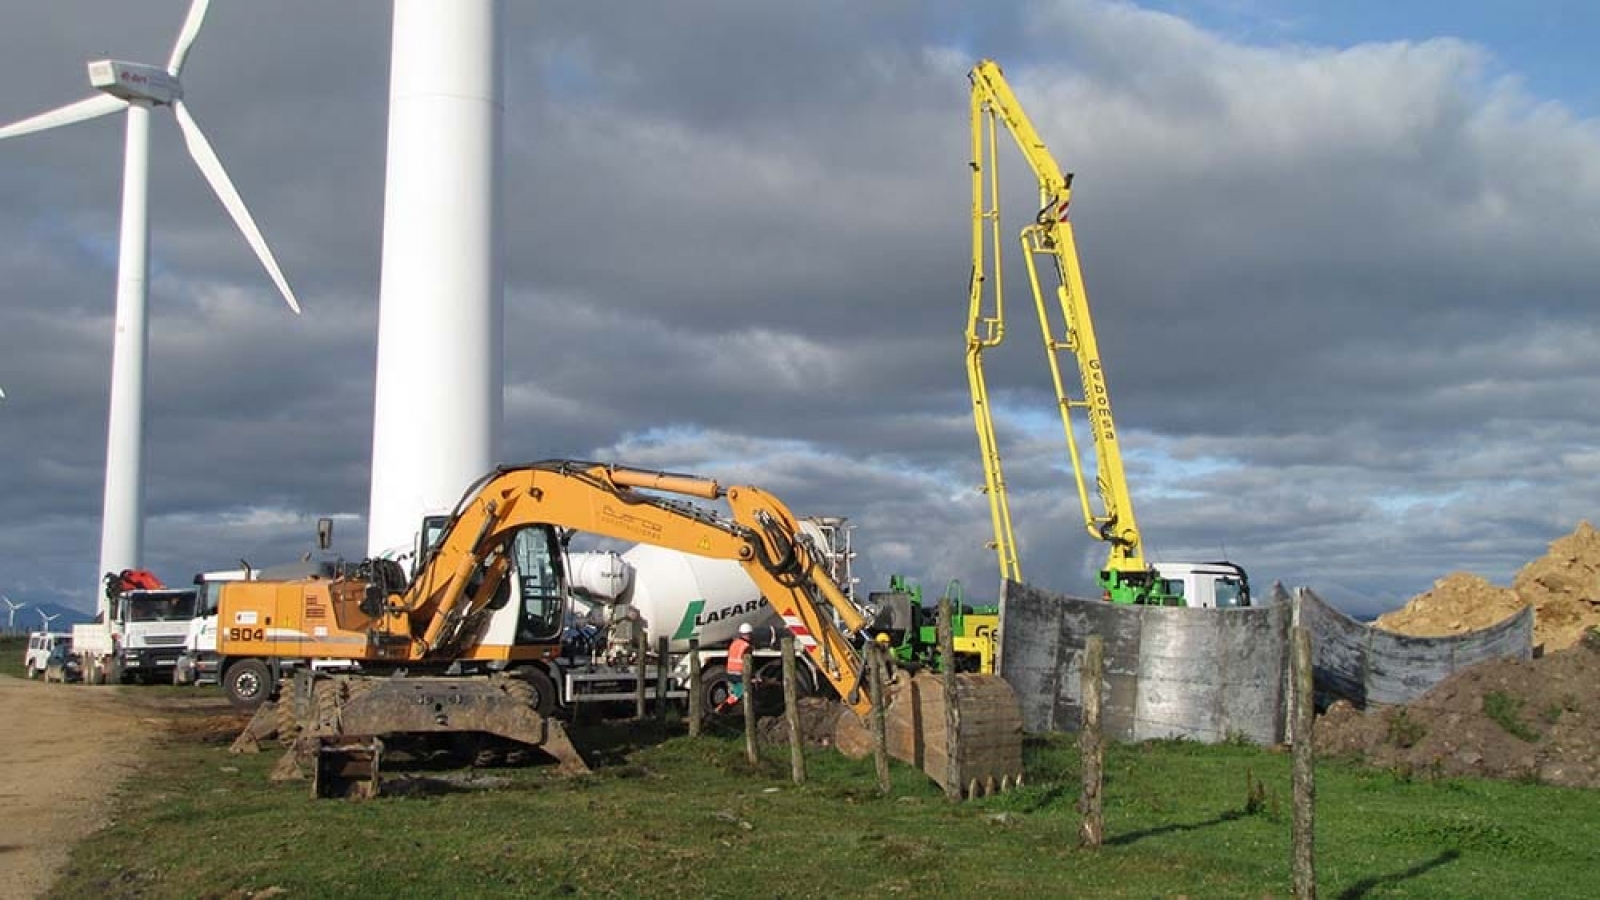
(1503, 720)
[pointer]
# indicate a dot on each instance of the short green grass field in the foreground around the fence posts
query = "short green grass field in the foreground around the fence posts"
(671, 818)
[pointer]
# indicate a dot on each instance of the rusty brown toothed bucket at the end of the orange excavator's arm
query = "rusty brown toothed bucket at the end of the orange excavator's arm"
(988, 737)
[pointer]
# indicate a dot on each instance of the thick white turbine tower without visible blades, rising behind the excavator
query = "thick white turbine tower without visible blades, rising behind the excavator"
(438, 408)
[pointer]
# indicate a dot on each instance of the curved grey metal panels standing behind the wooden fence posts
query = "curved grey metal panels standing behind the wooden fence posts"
(1217, 675)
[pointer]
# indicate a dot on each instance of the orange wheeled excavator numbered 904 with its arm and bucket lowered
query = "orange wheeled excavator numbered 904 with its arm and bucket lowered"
(428, 654)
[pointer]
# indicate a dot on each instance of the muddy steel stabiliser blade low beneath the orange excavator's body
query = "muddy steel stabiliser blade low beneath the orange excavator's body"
(340, 721)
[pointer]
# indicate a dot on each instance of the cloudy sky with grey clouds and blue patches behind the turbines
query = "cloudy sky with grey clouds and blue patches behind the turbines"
(1342, 267)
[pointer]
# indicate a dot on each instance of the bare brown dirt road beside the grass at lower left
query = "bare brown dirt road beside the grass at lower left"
(63, 752)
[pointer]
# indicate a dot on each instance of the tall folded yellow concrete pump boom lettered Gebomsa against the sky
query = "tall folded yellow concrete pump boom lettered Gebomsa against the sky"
(1073, 339)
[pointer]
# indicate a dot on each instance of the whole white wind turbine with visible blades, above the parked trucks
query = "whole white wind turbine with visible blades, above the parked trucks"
(137, 89)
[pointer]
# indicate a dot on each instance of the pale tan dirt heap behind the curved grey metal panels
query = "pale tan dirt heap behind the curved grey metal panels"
(1564, 589)
